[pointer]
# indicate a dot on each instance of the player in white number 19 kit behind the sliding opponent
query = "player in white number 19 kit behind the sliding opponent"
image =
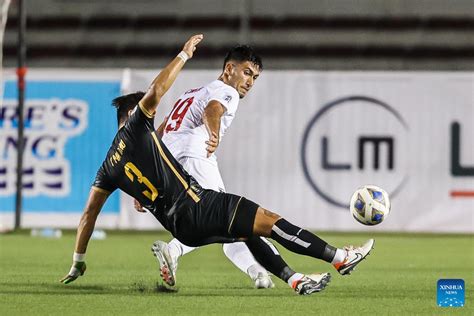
(192, 132)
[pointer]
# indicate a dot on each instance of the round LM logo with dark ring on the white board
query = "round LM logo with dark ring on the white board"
(353, 140)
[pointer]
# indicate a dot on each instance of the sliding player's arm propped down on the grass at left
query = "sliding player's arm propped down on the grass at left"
(84, 231)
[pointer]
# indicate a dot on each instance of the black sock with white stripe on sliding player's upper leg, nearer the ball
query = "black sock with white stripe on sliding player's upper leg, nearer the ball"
(301, 241)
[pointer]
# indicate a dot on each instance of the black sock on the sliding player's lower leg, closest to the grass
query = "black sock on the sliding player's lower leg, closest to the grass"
(268, 256)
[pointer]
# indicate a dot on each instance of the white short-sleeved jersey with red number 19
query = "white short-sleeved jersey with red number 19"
(184, 133)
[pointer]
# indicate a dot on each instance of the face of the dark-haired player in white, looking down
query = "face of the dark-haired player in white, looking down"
(242, 76)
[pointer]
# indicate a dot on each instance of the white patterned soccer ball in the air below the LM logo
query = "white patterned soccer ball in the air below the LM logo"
(370, 205)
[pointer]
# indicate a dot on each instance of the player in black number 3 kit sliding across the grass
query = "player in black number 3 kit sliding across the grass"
(139, 164)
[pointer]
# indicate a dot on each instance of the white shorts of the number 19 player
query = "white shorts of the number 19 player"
(207, 174)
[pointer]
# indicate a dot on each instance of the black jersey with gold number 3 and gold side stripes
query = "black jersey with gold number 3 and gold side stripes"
(139, 164)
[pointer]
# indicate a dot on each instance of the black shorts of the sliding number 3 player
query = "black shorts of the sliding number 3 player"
(217, 218)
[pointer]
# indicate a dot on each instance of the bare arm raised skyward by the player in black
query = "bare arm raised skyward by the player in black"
(167, 76)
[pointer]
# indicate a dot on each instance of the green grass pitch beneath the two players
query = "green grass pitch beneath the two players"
(399, 277)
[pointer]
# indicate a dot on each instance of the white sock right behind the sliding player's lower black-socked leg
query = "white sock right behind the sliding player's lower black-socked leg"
(240, 255)
